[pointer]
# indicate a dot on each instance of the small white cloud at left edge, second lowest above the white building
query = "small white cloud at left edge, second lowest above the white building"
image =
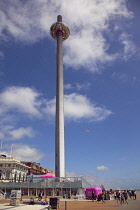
(11, 133)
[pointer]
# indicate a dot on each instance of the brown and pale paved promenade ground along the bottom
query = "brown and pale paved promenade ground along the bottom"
(78, 205)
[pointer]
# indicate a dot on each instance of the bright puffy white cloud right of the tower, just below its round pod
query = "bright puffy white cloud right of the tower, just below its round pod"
(87, 52)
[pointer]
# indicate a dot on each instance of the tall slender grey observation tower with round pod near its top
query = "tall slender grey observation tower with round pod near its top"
(60, 32)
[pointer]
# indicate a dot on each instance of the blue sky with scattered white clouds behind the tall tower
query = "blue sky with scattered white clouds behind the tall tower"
(101, 87)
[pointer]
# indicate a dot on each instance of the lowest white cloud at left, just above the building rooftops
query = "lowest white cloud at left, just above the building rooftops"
(24, 152)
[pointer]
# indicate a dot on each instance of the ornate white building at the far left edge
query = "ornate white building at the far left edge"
(12, 170)
